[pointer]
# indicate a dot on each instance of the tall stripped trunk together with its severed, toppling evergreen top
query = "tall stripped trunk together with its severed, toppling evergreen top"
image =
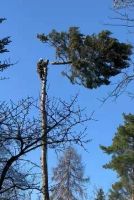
(92, 59)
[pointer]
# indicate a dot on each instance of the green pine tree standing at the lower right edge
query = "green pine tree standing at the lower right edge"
(122, 161)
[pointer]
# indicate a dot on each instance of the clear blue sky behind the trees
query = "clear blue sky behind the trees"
(27, 18)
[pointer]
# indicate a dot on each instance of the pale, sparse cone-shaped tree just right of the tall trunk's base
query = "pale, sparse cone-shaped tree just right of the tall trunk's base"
(69, 177)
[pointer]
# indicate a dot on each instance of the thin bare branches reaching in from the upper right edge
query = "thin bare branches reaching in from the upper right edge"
(123, 18)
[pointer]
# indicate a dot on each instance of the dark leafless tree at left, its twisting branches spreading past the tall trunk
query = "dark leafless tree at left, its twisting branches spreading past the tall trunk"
(20, 134)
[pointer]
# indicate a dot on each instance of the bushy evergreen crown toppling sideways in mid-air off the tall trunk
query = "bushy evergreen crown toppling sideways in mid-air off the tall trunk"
(94, 59)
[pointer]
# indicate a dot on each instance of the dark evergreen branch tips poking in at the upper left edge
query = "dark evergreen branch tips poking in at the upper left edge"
(3, 44)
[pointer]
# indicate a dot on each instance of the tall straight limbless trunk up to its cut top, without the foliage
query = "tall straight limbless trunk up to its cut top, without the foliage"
(42, 70)
